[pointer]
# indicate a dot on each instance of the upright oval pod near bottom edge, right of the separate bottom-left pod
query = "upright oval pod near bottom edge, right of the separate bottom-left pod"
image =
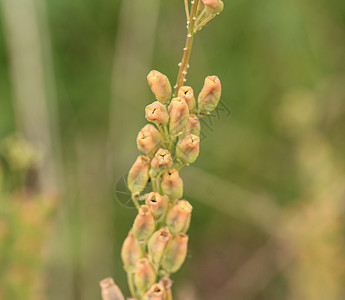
(144, 276)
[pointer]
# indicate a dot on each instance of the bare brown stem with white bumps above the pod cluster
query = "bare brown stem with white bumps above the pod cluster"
(188, 47)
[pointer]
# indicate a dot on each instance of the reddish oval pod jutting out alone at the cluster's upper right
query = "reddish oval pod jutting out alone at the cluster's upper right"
(210, 94)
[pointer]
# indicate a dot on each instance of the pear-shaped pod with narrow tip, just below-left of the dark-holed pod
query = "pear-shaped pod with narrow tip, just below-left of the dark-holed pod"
(144, 224)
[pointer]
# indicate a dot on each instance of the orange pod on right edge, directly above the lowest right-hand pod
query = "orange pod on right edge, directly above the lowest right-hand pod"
(178, 217)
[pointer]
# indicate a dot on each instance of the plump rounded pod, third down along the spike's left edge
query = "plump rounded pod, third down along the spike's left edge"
(149, 140)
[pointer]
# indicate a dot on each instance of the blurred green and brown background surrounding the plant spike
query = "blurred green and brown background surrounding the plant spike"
(268, 188)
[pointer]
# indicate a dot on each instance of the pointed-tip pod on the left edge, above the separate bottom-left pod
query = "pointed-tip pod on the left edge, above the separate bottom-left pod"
(130, 252)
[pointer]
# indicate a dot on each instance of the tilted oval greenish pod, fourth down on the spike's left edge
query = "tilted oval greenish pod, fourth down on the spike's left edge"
(139, 174)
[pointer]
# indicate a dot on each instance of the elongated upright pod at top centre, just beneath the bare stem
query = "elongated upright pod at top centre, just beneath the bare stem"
(178, 116)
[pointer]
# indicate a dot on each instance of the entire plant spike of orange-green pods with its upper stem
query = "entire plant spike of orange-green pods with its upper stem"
(157, 244)
